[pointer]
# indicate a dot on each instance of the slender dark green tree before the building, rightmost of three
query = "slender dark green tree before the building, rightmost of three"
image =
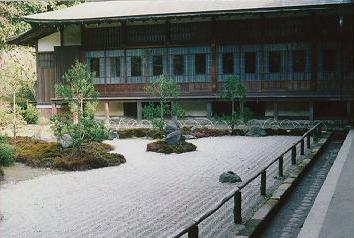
(235, 91)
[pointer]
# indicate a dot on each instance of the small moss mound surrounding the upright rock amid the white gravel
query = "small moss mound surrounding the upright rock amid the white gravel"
(162, 147)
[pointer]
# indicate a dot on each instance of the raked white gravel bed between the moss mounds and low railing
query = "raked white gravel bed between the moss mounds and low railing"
(152, 195)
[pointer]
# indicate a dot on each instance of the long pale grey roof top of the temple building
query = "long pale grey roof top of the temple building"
(140, 9)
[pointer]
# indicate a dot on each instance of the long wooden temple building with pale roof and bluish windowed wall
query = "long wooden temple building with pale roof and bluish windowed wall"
(296, 57)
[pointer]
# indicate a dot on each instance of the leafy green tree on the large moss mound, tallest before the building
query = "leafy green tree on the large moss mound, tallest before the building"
(78, 91)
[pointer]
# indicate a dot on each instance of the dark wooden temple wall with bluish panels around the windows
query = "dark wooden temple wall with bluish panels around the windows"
(312, 34)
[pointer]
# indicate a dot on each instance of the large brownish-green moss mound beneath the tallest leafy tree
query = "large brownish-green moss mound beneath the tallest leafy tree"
(38, 153)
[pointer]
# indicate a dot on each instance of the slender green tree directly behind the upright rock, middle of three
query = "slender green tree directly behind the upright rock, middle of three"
(165, 90)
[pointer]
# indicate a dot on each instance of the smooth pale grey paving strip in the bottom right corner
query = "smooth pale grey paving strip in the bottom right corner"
(332, 214)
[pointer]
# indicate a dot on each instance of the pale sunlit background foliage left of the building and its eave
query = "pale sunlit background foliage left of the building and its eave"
(17, 63)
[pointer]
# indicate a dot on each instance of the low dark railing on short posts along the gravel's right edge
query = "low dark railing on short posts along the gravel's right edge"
(193, 230)
